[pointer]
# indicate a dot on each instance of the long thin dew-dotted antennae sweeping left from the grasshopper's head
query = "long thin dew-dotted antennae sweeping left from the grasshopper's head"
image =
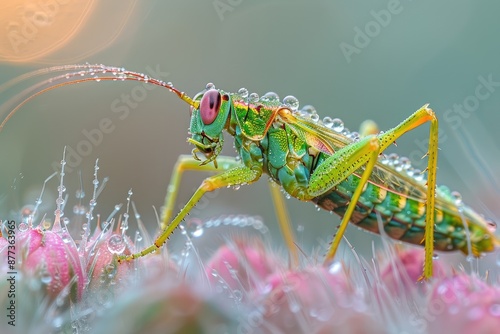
(77, 74)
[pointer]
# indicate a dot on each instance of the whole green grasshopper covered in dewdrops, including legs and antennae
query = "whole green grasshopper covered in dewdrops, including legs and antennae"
(313, 161)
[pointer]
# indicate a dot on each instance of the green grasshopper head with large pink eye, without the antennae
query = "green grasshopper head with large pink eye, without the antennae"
(208, 119)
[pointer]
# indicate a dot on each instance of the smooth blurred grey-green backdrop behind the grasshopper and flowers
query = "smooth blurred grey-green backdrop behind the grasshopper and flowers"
(377, 60)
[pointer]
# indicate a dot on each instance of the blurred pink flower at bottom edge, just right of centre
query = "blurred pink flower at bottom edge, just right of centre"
(313, 300)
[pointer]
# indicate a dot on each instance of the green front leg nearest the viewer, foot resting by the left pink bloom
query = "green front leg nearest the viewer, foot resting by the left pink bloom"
(235, 176)
